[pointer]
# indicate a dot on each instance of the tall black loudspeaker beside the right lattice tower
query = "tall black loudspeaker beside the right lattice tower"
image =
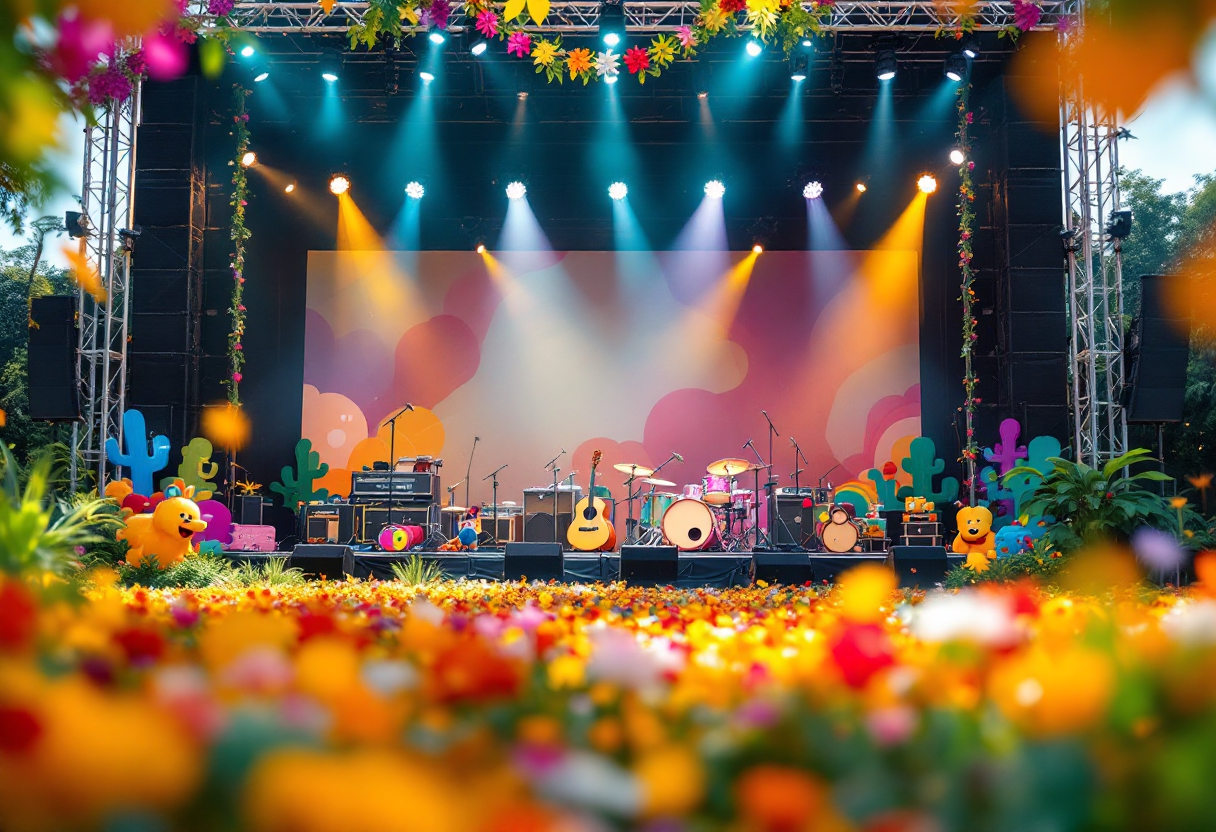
(1157, 353)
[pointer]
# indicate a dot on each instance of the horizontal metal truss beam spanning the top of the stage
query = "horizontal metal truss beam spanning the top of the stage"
(583, 16)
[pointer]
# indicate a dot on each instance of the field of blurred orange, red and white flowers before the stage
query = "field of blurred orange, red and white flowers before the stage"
(508, 707)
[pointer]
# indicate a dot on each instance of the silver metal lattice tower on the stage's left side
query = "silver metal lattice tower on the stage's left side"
(109, 201)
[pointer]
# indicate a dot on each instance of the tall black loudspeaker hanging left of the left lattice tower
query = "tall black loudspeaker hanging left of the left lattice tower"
(54, 393)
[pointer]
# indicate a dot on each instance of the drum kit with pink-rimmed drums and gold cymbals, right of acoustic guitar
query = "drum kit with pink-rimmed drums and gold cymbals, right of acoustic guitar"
(714, 514)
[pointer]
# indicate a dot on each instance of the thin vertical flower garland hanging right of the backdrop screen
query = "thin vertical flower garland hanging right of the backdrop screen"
(966, 232)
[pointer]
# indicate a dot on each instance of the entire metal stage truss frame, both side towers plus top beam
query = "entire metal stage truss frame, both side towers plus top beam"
(1090, 187)
